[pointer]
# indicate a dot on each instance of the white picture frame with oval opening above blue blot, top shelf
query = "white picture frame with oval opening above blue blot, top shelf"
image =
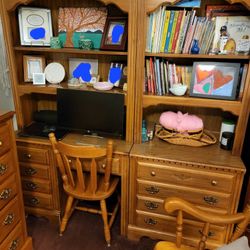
(35, 26)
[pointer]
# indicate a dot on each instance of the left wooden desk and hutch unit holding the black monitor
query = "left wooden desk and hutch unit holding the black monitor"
(37, 165)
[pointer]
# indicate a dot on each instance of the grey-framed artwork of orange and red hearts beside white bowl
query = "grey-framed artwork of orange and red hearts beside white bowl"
(217, 80)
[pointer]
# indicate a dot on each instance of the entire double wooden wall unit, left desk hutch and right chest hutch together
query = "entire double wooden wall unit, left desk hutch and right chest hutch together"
(209, 176)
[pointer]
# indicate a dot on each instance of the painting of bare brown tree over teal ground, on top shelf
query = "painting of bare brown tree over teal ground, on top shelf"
(75, 24)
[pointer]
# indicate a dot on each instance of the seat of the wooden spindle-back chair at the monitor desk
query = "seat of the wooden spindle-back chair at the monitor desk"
(101, 194)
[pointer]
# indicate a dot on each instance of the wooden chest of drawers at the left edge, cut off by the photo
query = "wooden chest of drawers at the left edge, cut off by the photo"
(12, 220)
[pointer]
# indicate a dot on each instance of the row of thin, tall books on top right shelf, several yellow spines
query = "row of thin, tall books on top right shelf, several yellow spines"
(174, 31)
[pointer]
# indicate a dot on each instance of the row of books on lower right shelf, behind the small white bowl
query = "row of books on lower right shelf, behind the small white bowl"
(161, 75)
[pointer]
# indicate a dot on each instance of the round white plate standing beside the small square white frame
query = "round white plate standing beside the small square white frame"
(54, 73)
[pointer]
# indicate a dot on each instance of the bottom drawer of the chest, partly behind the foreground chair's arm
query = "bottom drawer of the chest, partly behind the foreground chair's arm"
(167, 224)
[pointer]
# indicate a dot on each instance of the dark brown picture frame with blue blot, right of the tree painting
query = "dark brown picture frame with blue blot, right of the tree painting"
(115, 34)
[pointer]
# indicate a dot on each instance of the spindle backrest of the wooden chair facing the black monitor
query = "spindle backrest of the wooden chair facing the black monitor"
(75, 162)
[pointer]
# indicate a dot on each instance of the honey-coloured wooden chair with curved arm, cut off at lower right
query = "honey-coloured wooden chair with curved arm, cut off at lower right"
(173, 204)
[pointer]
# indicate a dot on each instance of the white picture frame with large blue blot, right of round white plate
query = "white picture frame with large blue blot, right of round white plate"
(75, 62)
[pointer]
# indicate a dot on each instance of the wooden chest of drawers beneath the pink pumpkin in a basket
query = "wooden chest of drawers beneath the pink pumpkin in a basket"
(211, 187)
